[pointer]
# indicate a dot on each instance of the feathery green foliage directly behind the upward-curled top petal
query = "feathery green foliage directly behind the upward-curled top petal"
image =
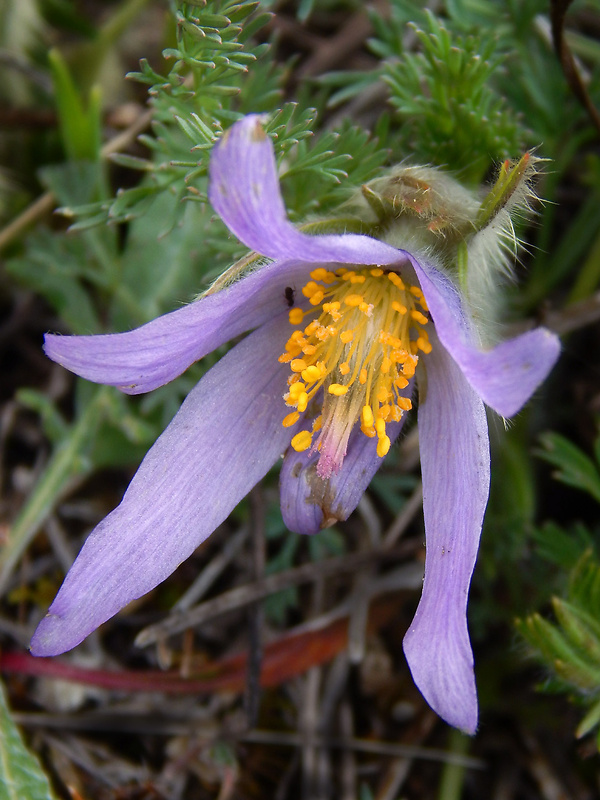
(210, 85)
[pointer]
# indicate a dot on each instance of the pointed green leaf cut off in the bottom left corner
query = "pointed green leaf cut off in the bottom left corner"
(21, 776)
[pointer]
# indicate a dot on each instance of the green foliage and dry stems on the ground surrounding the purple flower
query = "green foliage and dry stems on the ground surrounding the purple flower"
(108, 113)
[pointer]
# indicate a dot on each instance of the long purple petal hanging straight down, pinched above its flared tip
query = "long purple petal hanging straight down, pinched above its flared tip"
(456, 471)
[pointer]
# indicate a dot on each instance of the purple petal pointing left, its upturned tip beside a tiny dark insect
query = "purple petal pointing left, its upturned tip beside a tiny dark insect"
(150, 356)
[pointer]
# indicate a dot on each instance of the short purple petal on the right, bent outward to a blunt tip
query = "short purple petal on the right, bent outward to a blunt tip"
(506, 376)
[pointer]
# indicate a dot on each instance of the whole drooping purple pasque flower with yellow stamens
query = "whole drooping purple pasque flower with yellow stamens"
(342, 326)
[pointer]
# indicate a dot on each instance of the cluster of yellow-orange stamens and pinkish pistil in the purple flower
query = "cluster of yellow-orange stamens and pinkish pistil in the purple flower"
(360, 348)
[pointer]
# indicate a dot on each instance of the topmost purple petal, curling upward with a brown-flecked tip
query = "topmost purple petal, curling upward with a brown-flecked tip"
(244, 190)
